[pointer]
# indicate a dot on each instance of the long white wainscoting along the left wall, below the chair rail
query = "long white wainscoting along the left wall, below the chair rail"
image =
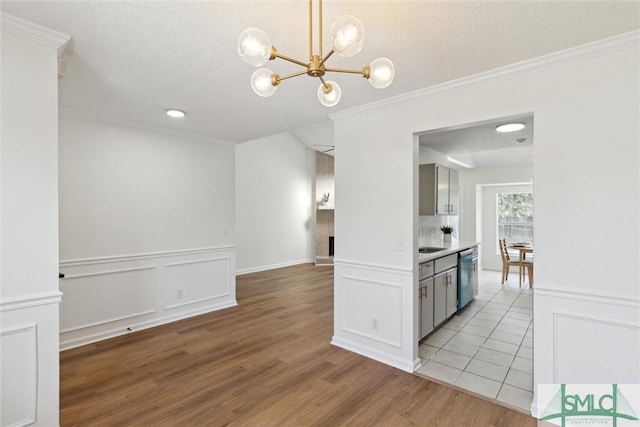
(111, 296)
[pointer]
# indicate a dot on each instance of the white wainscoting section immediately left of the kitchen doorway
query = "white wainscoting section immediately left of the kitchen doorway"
(374, 312)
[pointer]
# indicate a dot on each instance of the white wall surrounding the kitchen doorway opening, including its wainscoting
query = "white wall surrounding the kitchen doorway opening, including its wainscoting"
(586, 104)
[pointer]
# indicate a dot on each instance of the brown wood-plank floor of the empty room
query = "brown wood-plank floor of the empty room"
(266, 362)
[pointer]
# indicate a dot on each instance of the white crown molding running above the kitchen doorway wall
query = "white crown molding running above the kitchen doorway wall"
(600, 47)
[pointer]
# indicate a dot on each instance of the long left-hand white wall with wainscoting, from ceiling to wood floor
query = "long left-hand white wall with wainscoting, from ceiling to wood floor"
(146, 226)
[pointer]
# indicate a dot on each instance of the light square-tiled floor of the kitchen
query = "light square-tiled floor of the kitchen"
(488, 347)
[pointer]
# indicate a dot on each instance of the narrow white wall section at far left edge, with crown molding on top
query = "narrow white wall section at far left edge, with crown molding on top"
(29, 297)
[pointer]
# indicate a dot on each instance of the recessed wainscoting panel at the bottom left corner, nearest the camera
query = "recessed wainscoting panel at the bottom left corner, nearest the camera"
(19, 356)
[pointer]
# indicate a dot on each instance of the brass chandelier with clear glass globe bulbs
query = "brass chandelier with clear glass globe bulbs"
(347, 39)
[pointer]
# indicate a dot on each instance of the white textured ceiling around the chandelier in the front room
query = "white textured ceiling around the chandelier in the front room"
(134, 59)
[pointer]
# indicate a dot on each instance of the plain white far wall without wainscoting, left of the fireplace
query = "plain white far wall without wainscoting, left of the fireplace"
(275, 208)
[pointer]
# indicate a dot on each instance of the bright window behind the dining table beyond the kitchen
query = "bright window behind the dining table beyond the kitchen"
(515, 217)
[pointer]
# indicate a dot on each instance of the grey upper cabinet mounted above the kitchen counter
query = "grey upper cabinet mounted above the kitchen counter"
(438, 189)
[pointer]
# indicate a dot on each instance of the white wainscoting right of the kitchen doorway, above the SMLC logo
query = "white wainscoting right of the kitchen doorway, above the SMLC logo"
(584, 337)
